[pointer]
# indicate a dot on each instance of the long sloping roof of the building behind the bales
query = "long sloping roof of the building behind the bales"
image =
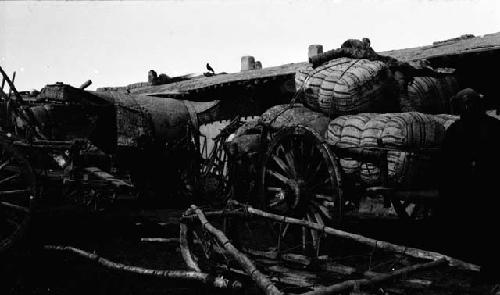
(434, 54)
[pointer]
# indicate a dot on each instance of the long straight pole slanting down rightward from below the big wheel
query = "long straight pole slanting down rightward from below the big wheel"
(413, 252)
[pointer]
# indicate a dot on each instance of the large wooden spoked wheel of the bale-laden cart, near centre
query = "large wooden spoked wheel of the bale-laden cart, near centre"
(300, 177)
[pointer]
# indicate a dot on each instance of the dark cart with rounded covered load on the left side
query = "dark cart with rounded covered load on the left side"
(94, 148)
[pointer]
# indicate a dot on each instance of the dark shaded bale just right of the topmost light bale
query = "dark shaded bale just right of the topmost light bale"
(429, 95)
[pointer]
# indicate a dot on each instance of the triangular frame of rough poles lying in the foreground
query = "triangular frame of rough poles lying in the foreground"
(195, 219)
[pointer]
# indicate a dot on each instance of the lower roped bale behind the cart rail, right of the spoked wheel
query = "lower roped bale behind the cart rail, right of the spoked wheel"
(404, 132)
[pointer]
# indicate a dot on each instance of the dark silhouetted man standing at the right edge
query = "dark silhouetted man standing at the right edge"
(470, 200)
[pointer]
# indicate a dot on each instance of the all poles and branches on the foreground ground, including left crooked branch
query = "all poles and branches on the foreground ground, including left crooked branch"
(211, 257)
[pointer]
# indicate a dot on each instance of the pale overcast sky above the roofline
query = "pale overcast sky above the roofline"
(116, 43)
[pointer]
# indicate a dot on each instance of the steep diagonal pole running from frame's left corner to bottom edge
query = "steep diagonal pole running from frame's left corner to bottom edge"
(263, 282)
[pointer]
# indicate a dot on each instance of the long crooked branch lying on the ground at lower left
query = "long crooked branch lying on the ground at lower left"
(217, 282)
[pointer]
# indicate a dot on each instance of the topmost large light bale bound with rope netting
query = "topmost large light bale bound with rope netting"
(348, 86)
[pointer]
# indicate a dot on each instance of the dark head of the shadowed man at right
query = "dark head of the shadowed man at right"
(467, 103)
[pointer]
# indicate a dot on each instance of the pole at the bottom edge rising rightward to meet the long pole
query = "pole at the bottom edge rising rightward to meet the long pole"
(352, 284)
